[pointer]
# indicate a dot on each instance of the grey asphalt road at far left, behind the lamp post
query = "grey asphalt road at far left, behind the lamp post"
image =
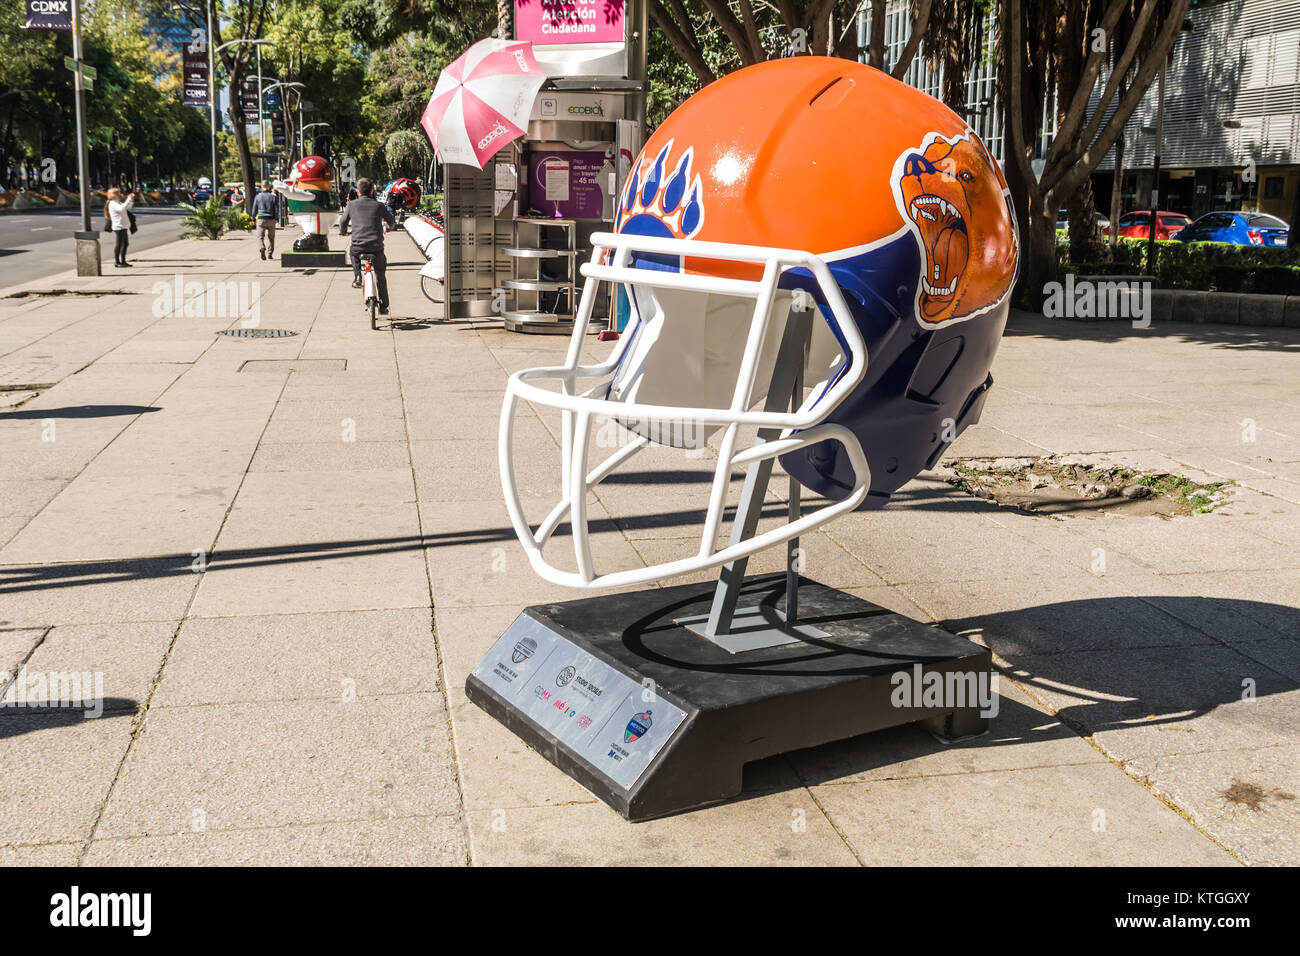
(41, 244)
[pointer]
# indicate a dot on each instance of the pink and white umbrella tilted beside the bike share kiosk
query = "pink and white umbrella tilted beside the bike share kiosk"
(483, 101)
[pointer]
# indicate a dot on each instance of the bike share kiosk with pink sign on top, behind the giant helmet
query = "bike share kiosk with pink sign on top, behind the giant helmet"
(518, 231)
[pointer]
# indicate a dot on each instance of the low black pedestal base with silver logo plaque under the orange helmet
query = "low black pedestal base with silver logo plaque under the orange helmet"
(656, 720)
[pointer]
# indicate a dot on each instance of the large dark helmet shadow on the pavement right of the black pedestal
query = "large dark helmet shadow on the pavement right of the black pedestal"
(1128, 685)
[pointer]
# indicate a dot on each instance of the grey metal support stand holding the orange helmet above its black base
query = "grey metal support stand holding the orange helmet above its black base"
(764, 626)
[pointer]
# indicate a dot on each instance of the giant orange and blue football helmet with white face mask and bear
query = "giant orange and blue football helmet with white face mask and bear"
(801, 184)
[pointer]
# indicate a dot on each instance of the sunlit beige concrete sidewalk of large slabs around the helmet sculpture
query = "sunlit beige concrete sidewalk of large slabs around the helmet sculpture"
(284, 556)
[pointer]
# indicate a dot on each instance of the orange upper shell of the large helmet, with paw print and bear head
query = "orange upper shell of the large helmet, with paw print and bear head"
(830, 157)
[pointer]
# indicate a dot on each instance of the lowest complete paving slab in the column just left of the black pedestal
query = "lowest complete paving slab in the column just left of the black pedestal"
(274, 764)
